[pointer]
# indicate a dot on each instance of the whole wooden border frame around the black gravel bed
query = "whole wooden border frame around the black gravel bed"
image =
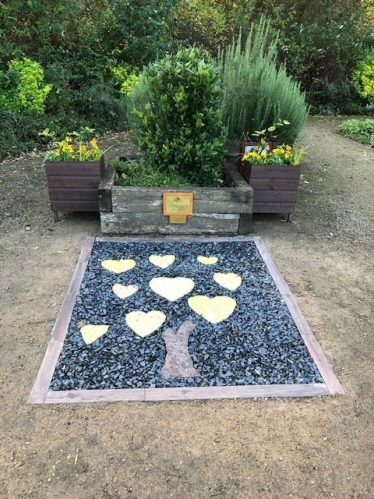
(41, 394)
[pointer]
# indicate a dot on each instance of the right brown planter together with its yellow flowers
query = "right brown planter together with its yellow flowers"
(274, 175)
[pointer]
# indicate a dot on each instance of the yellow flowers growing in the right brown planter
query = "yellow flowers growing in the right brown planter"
(280, 155)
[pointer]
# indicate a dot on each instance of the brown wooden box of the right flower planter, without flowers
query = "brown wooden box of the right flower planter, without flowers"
(275, 187)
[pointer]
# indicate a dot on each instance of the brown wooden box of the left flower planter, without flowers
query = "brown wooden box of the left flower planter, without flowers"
(73, 185)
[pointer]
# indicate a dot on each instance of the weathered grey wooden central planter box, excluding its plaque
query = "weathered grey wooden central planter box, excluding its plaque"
(139, 210)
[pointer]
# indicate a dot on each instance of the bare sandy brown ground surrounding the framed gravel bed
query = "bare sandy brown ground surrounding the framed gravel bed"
(265, 448)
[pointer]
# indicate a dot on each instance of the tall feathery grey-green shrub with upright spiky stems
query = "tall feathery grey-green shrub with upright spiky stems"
(258, 93)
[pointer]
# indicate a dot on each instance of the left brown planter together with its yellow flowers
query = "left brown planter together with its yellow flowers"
(74, 169)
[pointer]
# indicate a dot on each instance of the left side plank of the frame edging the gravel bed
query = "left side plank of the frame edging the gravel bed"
(45, 374)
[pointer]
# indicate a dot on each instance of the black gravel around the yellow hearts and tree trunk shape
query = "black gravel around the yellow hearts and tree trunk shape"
(258, 344)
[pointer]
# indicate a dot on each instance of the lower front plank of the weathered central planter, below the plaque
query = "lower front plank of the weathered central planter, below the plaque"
(146, 223)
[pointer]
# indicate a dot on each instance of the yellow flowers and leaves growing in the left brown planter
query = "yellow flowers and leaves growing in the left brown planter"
(77, 146)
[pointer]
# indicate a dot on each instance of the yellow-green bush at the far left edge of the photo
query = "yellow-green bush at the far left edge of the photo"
(22, 87)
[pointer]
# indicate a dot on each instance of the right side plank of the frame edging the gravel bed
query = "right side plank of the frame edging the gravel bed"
(306, 333)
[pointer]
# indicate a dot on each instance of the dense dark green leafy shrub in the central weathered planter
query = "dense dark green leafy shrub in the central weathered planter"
(180, 128)
